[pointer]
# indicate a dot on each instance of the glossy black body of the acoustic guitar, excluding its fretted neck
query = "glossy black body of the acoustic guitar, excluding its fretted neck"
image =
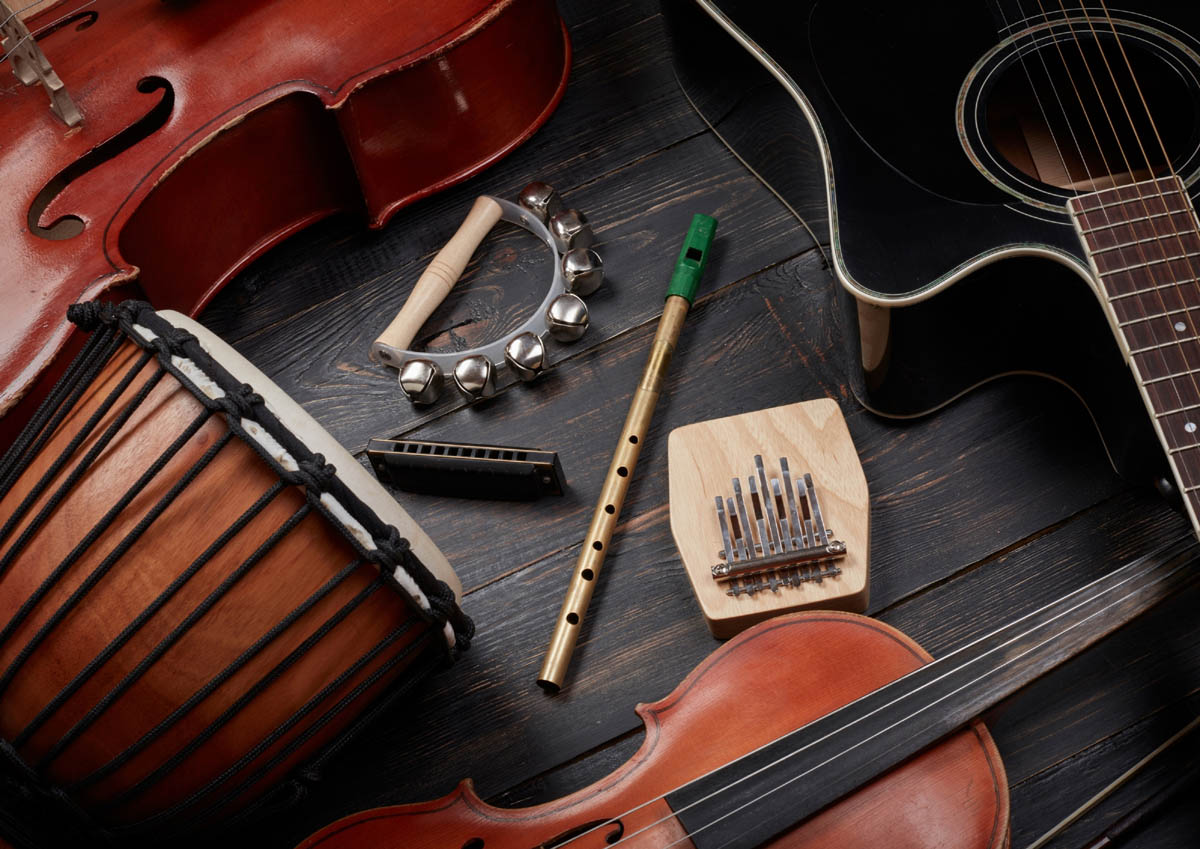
(949, 225)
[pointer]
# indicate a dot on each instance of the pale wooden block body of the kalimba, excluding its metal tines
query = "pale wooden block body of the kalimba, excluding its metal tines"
(706, 456)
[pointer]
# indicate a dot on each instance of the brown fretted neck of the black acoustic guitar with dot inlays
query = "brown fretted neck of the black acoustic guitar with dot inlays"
(1143, 242)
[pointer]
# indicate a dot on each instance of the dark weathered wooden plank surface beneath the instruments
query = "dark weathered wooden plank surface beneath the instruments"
(981, 513)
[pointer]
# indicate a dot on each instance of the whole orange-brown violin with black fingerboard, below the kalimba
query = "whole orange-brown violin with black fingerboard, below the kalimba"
(812, 731)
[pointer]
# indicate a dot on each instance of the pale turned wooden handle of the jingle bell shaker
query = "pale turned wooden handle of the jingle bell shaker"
(440, 278)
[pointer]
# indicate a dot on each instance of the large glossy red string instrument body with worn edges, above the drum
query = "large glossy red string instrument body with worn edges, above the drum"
(214, 130)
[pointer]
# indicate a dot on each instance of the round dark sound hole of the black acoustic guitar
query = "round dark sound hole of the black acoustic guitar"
(1058, 113)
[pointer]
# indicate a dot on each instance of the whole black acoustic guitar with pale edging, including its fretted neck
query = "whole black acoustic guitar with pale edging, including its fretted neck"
(1010, 186)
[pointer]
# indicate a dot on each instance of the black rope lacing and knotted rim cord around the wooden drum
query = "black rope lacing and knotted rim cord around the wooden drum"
(247, 416)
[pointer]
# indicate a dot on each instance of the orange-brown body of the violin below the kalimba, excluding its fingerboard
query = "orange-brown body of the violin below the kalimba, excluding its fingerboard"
(957, 788)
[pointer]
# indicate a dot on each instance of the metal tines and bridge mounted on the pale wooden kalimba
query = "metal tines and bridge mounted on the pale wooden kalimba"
(793, 546)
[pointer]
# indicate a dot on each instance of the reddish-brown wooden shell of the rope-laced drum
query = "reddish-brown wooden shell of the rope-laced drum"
(256, 708)
